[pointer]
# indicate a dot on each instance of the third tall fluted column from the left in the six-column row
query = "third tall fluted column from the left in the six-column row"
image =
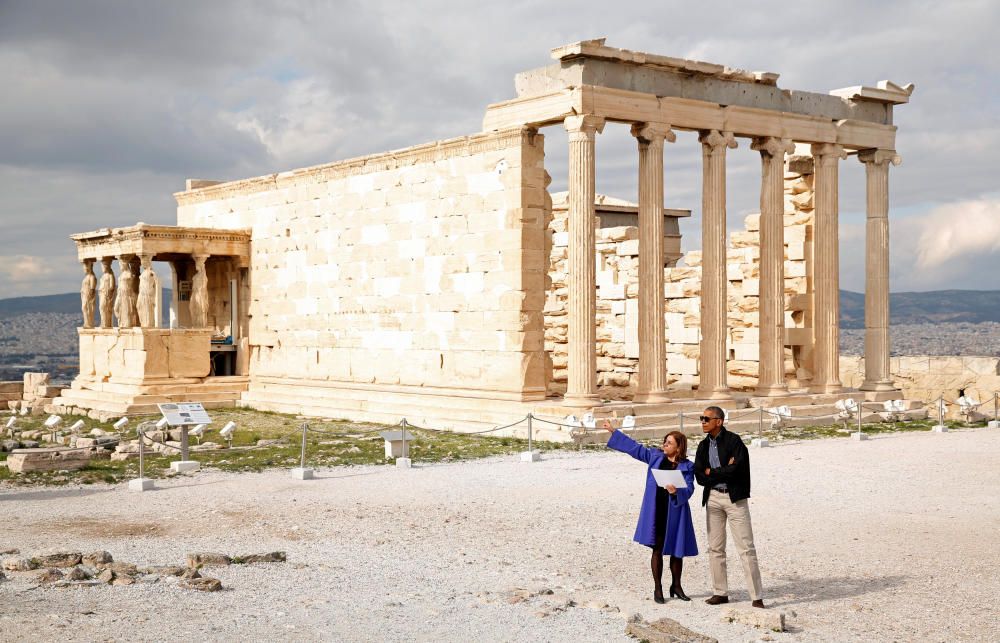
(714, 306)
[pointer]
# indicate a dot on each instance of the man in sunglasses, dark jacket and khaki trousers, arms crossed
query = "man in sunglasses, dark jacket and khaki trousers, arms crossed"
(722, 467)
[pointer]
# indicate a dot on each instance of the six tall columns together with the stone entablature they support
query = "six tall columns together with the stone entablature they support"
(592, 84)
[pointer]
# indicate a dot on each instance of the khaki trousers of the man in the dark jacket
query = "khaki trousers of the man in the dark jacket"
(721, 509)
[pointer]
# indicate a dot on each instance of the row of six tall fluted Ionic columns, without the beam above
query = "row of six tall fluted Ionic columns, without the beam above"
(582, 380)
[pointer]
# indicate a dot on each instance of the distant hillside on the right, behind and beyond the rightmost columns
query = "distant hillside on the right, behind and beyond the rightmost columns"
(935, 307)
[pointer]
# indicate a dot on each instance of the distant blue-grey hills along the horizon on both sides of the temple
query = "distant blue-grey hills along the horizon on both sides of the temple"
(940, 306)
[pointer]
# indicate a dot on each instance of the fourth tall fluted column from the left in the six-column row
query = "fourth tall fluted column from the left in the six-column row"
(771, 376)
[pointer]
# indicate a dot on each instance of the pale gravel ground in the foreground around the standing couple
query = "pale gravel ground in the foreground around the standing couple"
(893, 539)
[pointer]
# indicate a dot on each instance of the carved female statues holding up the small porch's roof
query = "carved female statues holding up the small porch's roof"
(132, 298)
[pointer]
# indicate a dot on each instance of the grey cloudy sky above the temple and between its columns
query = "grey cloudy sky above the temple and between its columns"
(107, 106)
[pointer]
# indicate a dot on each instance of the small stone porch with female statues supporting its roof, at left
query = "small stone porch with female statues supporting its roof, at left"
(128, 360)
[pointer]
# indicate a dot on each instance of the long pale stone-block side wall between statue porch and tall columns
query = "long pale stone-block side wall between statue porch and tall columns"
(420, 268)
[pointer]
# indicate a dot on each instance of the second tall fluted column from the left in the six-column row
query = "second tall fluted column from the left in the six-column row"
(652, 340)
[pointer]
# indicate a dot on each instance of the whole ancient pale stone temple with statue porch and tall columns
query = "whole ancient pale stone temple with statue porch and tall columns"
(442, 283)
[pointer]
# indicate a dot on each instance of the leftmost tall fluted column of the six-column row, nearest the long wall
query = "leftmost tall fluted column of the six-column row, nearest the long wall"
(581, 388)
